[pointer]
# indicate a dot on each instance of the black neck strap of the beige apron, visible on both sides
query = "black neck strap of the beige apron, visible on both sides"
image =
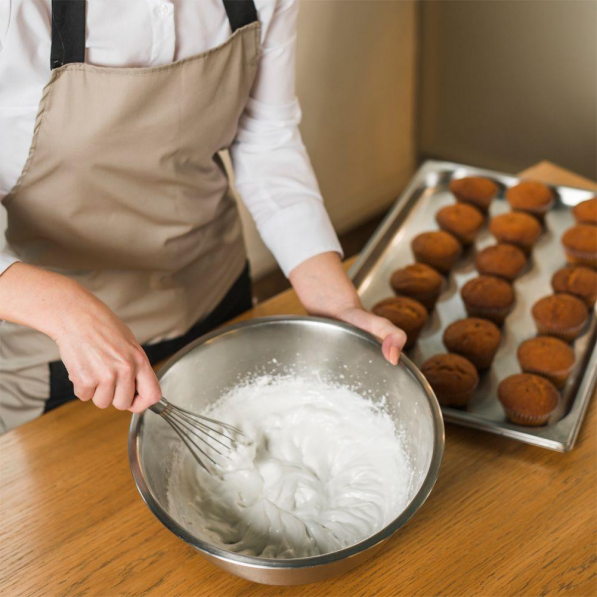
(68, 27)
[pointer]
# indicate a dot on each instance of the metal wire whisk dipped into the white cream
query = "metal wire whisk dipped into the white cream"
(216, 437)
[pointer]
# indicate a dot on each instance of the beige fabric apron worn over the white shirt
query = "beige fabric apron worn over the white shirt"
(124, 191)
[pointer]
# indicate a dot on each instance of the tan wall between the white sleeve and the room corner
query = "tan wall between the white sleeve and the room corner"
(356, 83)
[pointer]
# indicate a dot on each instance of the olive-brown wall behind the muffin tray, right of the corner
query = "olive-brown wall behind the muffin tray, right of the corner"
(506, 84)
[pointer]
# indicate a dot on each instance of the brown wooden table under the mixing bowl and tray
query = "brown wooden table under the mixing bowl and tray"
(505, 518)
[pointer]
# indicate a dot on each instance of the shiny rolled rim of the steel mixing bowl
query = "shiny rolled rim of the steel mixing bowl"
(291, 563)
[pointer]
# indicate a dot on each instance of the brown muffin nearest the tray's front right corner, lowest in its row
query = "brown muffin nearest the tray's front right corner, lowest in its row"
(527, 399)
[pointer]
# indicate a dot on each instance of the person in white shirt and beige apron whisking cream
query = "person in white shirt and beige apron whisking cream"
(123, 240)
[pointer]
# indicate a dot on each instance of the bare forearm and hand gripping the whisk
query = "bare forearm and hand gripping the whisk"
(102, 356)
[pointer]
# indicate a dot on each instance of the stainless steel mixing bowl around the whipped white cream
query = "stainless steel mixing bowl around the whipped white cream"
(205, 370)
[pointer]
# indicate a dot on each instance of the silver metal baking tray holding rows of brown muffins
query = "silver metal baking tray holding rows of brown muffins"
(389, 249)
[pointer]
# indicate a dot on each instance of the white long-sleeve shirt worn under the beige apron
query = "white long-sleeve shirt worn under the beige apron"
(273, 173)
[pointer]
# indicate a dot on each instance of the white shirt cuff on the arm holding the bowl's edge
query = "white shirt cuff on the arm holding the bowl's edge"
(299, 232)
